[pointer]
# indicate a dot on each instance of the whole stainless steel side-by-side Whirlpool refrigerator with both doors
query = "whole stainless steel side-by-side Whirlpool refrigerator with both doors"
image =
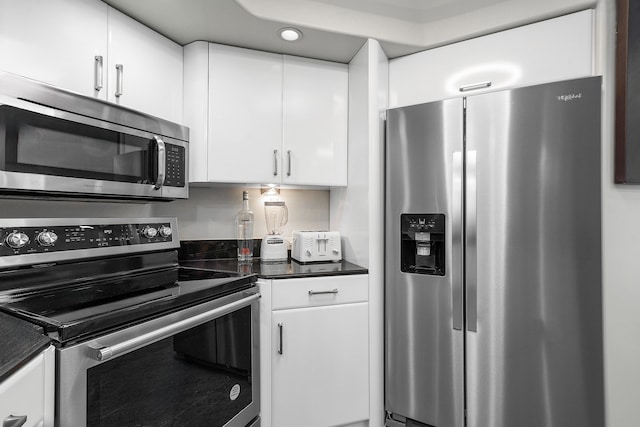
(493, 312)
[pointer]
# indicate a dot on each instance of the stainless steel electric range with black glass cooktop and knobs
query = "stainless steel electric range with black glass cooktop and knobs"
(139, 339)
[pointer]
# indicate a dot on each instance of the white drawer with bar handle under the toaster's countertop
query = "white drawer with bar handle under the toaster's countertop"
(319, 291)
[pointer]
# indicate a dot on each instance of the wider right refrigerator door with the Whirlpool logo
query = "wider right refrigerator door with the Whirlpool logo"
(533, 257)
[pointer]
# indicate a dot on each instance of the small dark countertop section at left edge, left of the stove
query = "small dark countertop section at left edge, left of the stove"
(21, 342)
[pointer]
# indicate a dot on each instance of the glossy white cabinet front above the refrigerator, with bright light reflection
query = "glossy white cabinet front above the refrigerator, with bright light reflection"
(552, 50)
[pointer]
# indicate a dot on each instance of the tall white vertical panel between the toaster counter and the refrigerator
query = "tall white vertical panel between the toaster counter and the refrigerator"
(358, 210)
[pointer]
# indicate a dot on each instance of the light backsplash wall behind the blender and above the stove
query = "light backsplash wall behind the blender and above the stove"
(209, 213)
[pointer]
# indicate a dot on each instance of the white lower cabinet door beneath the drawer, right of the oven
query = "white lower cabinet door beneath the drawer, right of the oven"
(320, 366)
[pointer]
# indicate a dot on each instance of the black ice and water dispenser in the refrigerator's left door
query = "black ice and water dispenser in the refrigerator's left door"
(422, 243)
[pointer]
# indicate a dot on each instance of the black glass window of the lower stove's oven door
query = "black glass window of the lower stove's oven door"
(200, 377)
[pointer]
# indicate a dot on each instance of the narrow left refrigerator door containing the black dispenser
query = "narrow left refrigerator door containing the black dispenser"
(424, 353)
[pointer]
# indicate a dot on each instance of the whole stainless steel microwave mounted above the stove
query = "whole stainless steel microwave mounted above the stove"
(59, 143)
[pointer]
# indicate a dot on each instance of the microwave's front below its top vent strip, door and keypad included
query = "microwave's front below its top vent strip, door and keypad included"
(46, 150)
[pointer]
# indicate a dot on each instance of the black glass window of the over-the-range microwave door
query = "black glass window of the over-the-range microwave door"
(36, 143)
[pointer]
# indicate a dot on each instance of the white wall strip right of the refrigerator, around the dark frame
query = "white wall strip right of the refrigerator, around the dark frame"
(621, 269)
